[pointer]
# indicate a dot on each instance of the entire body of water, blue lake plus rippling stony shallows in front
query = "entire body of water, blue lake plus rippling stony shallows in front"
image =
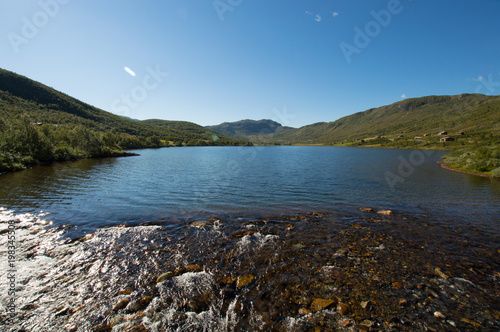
(251, 239)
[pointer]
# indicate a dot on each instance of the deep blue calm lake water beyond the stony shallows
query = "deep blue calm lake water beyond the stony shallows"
(178, 182)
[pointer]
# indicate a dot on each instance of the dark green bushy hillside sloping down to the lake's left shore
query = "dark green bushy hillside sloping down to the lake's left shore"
(39, 124)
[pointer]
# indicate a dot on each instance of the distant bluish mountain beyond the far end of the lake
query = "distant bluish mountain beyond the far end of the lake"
(250, 130)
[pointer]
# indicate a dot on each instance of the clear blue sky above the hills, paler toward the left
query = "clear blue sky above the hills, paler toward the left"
(294, 61)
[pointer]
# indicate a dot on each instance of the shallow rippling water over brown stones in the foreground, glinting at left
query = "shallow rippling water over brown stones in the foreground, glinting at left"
(356, 271)
